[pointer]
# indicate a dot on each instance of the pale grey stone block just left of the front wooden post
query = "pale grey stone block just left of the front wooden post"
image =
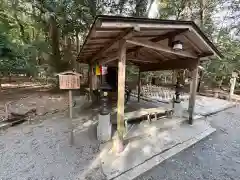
(104, 128)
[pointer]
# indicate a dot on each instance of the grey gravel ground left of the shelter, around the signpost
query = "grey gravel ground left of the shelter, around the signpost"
(42, 152)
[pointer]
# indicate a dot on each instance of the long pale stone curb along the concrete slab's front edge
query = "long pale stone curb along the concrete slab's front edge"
(156, 160)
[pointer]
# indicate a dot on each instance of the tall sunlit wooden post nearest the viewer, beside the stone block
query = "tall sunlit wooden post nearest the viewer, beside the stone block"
(121, 90)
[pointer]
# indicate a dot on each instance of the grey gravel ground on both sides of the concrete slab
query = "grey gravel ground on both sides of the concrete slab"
(42, 152)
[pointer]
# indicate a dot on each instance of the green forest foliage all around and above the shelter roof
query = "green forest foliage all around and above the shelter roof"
(49, 32)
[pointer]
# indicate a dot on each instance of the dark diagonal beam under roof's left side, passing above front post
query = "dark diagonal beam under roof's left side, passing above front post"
(125, 34)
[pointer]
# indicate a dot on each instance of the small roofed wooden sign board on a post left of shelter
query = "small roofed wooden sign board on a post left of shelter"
(69, 80)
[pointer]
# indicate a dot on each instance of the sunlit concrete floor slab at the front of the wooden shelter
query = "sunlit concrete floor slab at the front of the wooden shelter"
(154, 145)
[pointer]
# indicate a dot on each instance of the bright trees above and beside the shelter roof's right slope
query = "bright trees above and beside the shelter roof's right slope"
(219, 20)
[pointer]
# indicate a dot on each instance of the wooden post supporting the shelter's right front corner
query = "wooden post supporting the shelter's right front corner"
(193, 91)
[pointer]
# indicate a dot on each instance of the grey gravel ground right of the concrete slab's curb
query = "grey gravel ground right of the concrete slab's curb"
(215, 158)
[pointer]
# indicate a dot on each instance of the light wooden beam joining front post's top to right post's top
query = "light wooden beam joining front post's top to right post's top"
(151, 45)
